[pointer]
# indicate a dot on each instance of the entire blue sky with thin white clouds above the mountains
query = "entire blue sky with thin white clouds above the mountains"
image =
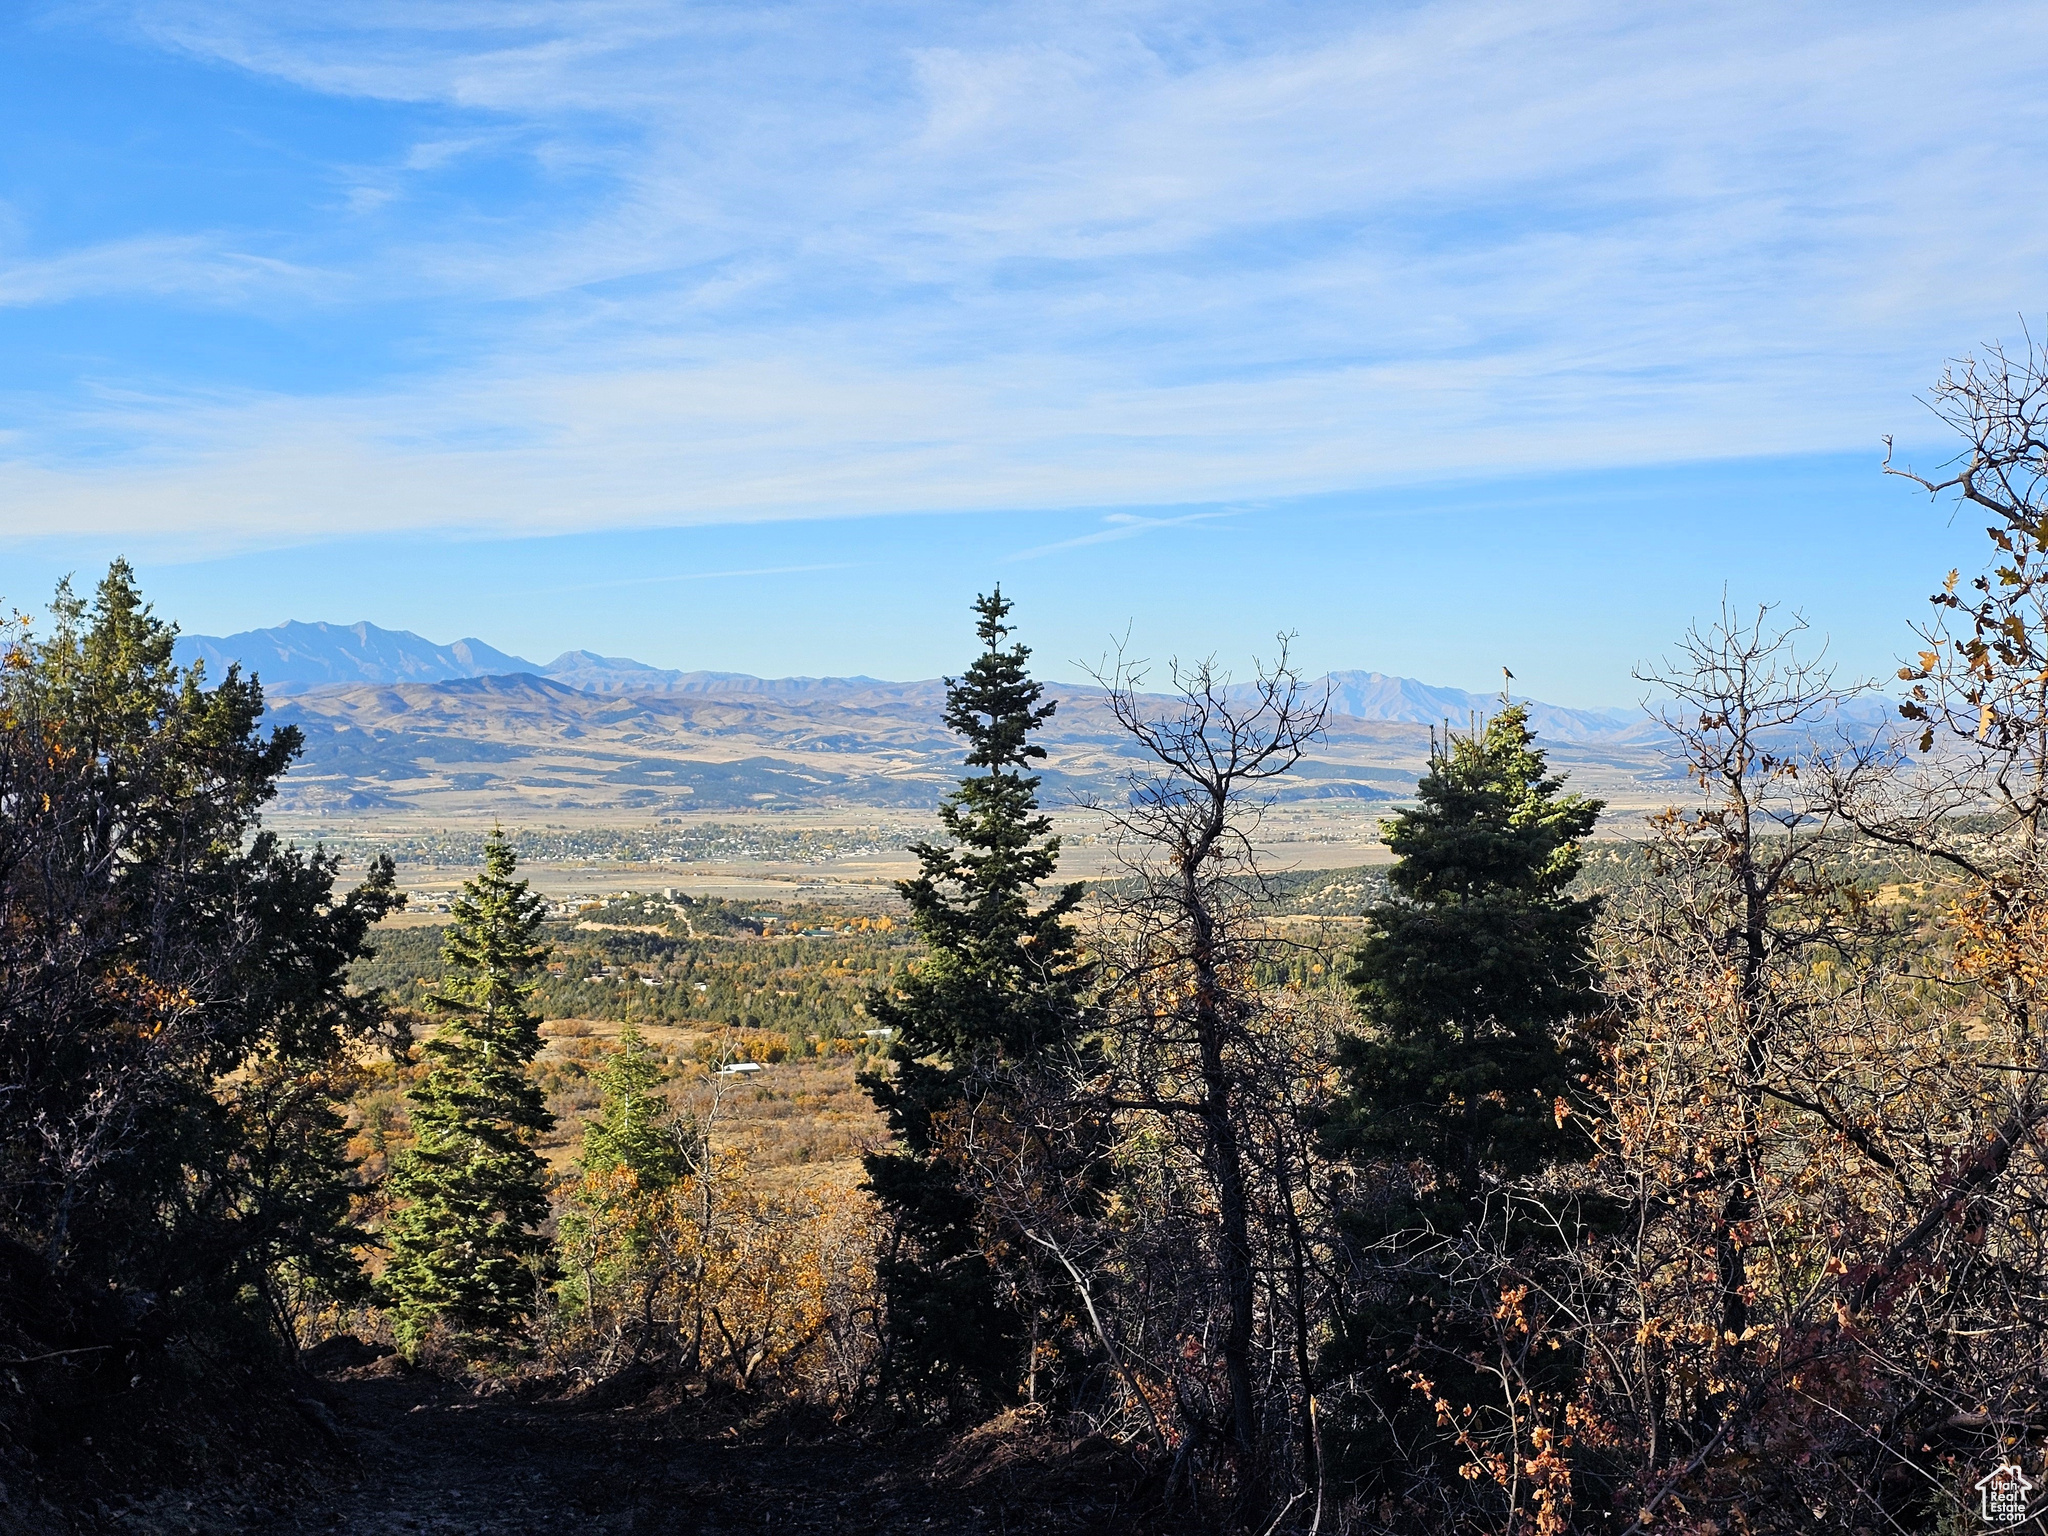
(763, 337)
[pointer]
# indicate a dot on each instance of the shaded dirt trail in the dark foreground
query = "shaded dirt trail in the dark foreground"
(425, 1457)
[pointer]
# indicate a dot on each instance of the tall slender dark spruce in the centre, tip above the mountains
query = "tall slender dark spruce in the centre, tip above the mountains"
(998, 986)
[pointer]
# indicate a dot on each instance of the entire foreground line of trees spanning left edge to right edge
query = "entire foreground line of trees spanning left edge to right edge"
(1703, 1191)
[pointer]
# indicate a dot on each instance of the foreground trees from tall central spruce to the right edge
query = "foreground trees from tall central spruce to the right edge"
(1709, 1201)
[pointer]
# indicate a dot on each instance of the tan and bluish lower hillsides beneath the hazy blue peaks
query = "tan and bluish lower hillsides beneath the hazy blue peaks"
(529, 746)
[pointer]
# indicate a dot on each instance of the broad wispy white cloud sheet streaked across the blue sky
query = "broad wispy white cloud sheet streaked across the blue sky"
(798, 261)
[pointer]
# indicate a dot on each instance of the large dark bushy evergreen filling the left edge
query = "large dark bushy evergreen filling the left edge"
(175, 1005)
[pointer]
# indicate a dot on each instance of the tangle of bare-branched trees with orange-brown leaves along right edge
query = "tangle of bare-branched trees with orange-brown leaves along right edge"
(1822, 1121)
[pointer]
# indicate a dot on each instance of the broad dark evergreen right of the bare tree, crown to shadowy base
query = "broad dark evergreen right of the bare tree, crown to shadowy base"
(1467, 984)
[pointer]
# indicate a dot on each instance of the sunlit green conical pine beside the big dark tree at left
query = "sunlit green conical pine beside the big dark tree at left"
(466, 1242)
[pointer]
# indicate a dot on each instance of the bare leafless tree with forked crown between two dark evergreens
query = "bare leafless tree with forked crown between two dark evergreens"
(1191, 1043)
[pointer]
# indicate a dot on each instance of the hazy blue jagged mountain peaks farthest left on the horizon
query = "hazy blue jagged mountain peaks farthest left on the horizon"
(318, 656)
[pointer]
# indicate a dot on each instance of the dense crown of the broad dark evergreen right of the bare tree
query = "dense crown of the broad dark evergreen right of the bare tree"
(1474, 968)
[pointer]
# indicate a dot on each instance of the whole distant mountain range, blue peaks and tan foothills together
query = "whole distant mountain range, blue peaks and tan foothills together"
(400, 726)
